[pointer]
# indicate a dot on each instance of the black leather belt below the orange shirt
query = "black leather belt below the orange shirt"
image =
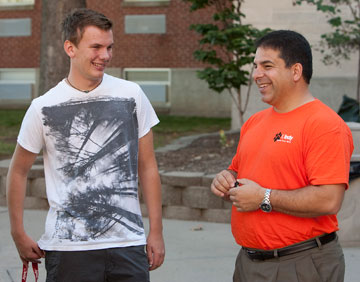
(300, 247)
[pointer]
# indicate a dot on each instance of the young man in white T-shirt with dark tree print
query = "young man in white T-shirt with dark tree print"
(95, 133)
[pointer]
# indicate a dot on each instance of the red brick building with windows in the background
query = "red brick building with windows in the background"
(153, 46)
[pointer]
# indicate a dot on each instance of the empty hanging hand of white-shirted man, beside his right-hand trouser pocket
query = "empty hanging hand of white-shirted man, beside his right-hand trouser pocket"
(155, 250)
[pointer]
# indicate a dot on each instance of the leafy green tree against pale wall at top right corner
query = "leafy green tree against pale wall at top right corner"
(345, 37)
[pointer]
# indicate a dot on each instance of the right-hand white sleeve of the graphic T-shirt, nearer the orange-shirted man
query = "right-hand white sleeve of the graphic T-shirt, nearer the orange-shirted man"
(146, 115)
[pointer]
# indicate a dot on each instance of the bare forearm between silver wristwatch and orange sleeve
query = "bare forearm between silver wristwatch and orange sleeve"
(310, 201)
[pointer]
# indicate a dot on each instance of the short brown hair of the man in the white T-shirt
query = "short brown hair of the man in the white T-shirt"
(74, 23)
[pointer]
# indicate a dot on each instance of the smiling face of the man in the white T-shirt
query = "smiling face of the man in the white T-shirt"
(92, 54)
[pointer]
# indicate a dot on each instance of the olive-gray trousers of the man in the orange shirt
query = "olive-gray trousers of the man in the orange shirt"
(324, 264)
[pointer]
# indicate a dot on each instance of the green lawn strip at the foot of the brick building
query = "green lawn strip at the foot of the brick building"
(169, 128)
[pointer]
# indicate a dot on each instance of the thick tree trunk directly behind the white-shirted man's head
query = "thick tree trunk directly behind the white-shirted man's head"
(54, 63)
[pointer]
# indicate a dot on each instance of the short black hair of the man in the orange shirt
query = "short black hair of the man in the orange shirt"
(293, 48)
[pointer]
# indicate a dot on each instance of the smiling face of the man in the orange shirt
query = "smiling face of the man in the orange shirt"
(272, 77)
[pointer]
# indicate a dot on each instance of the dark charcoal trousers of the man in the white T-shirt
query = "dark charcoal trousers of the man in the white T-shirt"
(128, 264)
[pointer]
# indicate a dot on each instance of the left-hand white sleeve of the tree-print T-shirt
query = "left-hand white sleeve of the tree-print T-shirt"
(30, 136)
